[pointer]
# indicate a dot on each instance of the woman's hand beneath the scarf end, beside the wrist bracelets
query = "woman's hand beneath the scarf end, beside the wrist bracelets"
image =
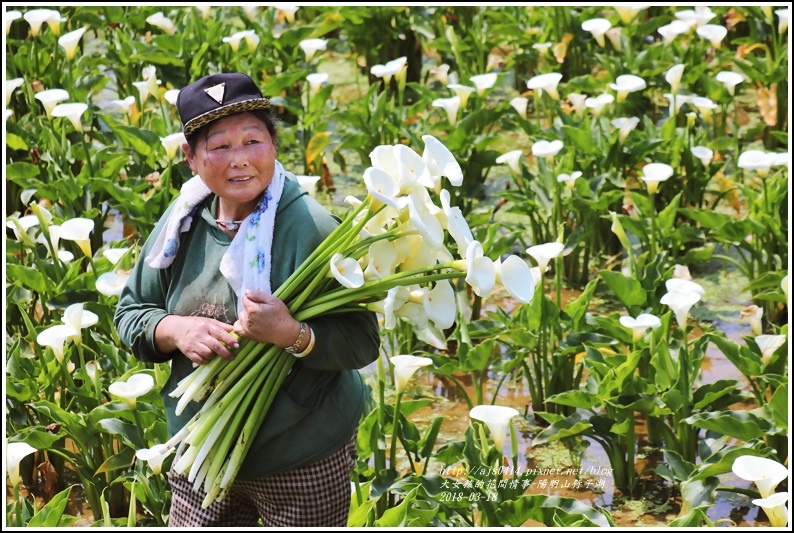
(266, 319)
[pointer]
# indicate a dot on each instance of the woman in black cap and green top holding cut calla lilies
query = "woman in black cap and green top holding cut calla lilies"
(238, 230)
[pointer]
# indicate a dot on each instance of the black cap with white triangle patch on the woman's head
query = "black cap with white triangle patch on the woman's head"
(217, 96)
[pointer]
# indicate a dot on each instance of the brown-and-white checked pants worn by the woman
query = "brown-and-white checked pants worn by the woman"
(316, 495)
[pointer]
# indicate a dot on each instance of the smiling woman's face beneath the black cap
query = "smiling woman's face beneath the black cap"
(235, 159)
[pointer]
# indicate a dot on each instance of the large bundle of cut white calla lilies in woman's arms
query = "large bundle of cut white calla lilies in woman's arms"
(387, 255)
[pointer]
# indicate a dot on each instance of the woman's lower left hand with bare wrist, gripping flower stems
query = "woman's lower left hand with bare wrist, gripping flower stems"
(198, 338)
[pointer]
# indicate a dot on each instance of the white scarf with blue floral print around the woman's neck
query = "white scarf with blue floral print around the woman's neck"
(246, 263)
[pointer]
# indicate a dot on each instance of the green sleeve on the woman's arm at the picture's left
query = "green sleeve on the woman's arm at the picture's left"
(142, 304)
